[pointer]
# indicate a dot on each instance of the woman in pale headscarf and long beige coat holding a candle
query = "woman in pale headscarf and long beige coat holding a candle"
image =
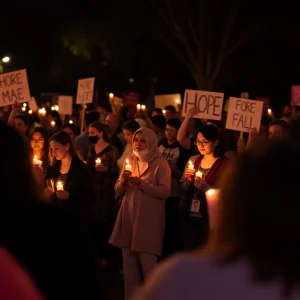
(139, 230)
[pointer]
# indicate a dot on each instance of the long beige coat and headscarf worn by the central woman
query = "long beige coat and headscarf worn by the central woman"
(140, 223)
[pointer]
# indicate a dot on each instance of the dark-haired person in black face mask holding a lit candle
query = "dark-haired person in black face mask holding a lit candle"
(102, 165)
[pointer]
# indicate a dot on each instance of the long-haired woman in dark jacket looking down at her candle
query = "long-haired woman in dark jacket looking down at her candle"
(71, 188)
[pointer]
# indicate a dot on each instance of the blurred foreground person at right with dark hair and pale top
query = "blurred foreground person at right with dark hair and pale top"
(253, 252)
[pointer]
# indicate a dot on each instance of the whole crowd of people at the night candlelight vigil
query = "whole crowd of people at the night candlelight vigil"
(138, 181)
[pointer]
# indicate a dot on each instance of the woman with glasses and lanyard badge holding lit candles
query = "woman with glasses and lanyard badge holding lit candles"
(200, 175)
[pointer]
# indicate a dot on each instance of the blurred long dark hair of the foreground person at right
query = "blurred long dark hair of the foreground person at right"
(259, 213)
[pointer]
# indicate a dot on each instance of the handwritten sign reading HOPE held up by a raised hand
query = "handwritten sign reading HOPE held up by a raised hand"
(209, 103)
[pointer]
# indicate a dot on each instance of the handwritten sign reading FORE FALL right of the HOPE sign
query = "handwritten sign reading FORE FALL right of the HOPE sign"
(244, 114)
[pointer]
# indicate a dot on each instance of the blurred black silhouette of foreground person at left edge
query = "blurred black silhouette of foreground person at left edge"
(44, 240)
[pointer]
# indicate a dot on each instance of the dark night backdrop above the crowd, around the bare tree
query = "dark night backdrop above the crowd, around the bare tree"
(59, 42)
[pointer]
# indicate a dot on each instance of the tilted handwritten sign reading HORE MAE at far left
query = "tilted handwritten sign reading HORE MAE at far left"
(14, 87)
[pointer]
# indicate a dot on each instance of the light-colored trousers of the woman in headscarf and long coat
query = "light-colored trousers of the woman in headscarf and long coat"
(132, 263)
